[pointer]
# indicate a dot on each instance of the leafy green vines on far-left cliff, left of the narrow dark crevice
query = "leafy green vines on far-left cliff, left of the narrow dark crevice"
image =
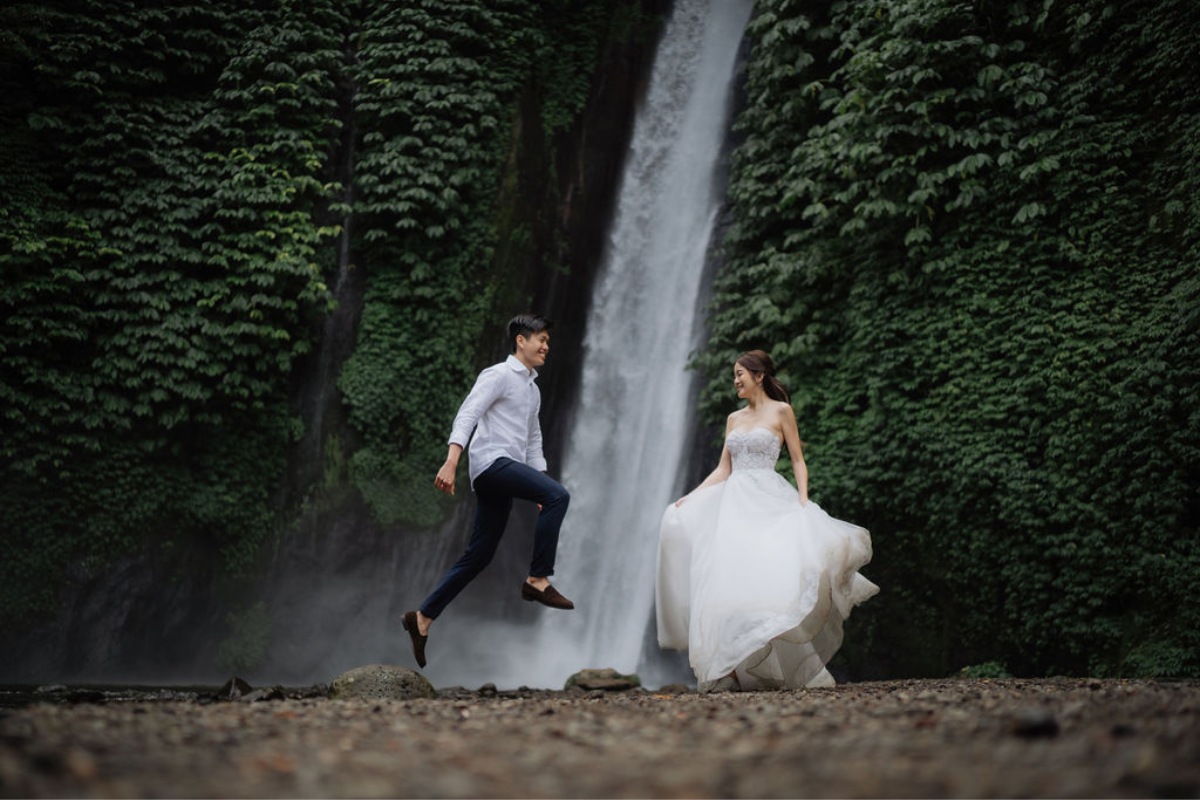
(163, 256)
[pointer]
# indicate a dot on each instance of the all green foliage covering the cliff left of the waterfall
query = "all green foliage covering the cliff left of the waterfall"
(182, 187)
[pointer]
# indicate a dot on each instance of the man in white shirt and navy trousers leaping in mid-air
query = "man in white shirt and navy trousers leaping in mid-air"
(506, 464)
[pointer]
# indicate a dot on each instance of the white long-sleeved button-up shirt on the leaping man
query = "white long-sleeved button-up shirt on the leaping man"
(505, 405)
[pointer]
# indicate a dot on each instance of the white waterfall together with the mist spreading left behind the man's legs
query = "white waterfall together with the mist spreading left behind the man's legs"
(625, 459)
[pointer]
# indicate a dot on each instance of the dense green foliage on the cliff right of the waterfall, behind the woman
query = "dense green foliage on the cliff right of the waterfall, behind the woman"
(969, 234)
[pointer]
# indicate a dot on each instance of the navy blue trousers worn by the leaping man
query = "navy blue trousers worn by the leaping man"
(495, 491)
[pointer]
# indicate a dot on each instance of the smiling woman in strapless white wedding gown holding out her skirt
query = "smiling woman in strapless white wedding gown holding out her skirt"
(754, 580)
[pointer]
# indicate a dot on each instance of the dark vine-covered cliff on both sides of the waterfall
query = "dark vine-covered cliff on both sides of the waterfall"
(254, 252)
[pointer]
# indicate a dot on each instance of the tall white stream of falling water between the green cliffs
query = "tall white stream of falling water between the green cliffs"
(626, 453)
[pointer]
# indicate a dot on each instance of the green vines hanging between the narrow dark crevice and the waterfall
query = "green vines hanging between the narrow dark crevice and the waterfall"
(436, 97)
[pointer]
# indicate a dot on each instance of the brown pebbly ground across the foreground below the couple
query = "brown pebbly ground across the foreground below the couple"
(896, 739)
